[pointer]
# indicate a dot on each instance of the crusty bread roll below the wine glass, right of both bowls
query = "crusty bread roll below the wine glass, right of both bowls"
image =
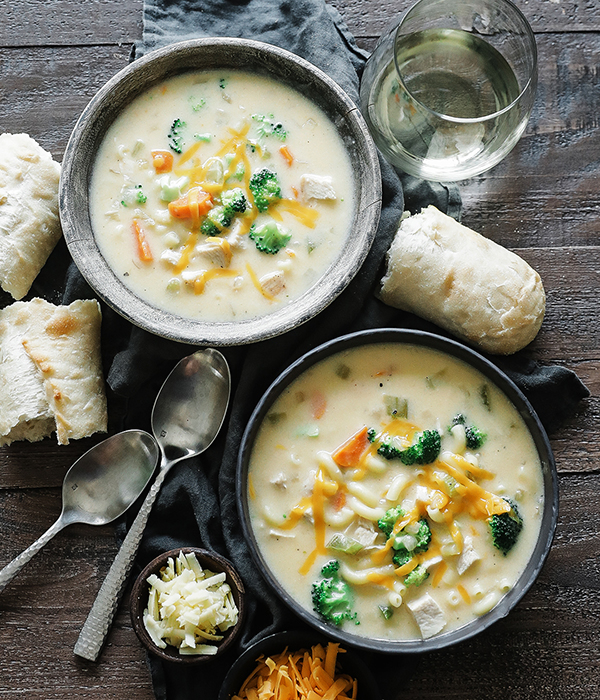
(463, 282)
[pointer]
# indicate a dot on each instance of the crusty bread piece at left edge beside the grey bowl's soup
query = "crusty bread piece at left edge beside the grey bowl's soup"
(29, 223)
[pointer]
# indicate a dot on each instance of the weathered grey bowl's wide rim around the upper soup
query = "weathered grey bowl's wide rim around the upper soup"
(218, 53)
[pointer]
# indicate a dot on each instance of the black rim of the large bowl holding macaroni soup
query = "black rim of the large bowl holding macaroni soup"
(514, 394)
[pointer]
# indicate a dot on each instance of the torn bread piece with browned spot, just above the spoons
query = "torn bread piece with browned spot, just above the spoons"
(50, 371)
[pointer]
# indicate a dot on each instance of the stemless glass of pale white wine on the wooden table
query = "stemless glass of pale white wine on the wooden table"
(448, 91)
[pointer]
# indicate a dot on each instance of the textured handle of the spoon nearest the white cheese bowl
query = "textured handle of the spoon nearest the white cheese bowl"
(97, 625)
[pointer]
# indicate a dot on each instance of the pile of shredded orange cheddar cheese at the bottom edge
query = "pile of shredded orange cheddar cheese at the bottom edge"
(299, 675)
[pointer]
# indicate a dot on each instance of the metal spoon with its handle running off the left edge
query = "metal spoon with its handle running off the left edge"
(98, 488)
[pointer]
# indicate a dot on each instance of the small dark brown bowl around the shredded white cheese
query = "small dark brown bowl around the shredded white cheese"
(139, 600)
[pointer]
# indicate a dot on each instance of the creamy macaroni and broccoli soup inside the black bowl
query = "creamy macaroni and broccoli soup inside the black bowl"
(401, 465)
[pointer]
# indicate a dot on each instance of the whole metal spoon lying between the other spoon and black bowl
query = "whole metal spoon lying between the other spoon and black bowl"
(187, 416)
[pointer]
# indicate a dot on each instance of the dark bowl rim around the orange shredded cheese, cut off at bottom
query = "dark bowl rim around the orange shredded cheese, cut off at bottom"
(294, 640)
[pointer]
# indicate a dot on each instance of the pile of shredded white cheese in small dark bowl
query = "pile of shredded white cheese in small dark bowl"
(189, 607)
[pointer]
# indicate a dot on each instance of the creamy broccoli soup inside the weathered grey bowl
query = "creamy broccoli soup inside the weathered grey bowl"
(221, 195)
